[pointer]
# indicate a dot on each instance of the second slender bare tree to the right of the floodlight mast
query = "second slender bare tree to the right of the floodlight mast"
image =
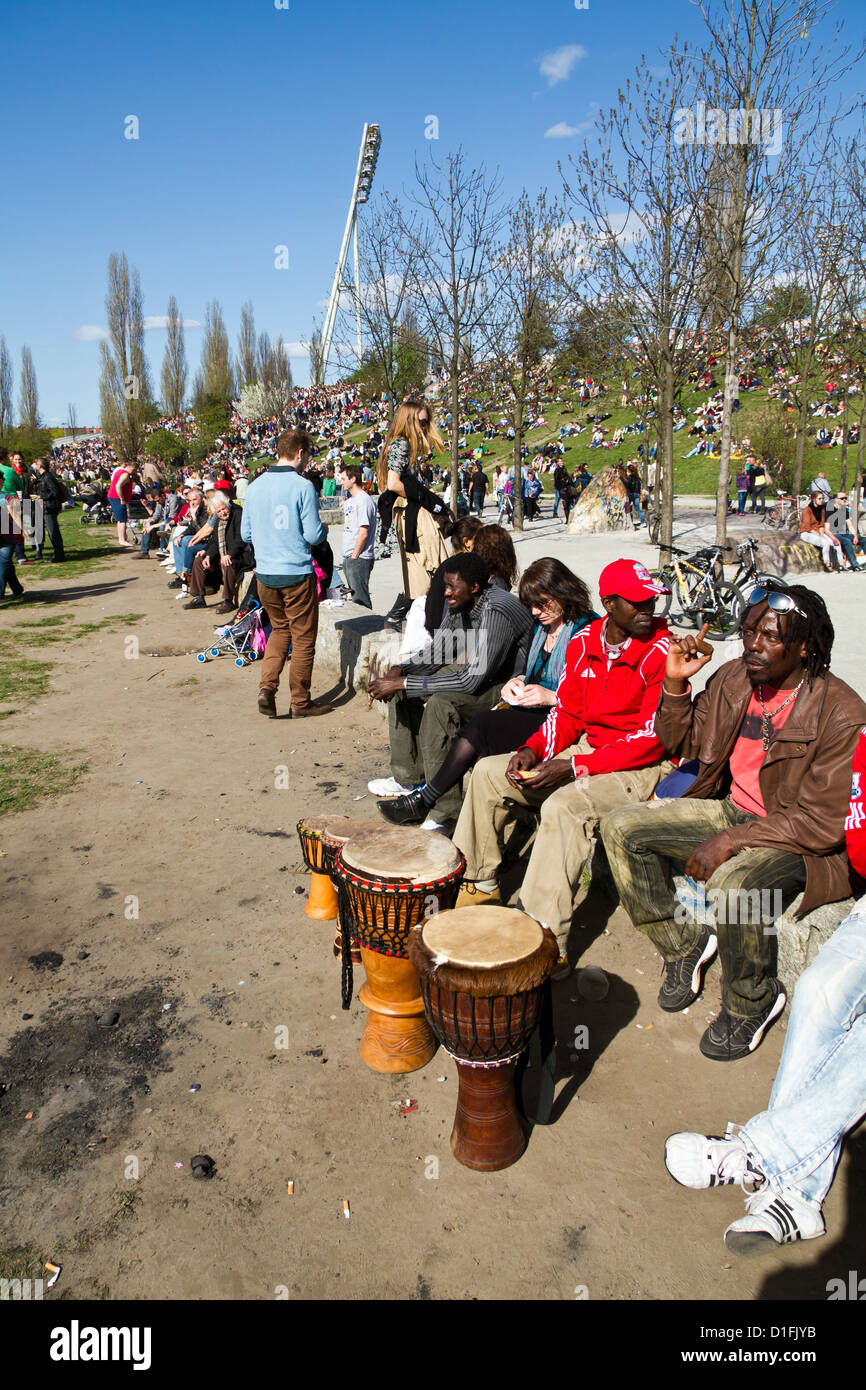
(525, 305)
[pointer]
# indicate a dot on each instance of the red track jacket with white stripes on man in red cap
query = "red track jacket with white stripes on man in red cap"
(615, 708)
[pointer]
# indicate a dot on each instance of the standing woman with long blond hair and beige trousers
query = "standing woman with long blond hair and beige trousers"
(408, 505)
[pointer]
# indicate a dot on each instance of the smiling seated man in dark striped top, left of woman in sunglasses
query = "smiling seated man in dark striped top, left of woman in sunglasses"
(440, 694)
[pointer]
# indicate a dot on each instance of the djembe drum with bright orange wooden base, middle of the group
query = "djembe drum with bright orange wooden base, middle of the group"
(393, 881)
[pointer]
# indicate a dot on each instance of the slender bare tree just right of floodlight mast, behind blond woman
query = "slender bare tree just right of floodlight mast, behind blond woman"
(451, 223)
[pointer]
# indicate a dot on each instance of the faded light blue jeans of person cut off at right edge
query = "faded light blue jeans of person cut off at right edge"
(821, 1085)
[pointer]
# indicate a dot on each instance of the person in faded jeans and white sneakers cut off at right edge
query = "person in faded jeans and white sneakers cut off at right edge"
(786, 1157)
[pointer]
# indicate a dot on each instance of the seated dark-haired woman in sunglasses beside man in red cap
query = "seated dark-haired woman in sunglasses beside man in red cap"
(559, 603)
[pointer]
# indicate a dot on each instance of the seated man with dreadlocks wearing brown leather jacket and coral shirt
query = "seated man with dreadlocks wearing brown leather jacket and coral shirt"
(775, 736)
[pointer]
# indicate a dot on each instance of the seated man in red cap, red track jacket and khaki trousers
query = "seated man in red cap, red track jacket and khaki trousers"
(604, 728)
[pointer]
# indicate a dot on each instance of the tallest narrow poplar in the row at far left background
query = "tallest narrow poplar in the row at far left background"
(124, 384)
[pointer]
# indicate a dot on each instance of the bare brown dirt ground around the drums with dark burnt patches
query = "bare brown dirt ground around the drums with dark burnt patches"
(180, 821)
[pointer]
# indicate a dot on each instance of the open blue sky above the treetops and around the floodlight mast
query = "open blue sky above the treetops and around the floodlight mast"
(250, 126)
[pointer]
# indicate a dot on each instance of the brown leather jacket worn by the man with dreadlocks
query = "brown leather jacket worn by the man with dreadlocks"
(806, 779)
